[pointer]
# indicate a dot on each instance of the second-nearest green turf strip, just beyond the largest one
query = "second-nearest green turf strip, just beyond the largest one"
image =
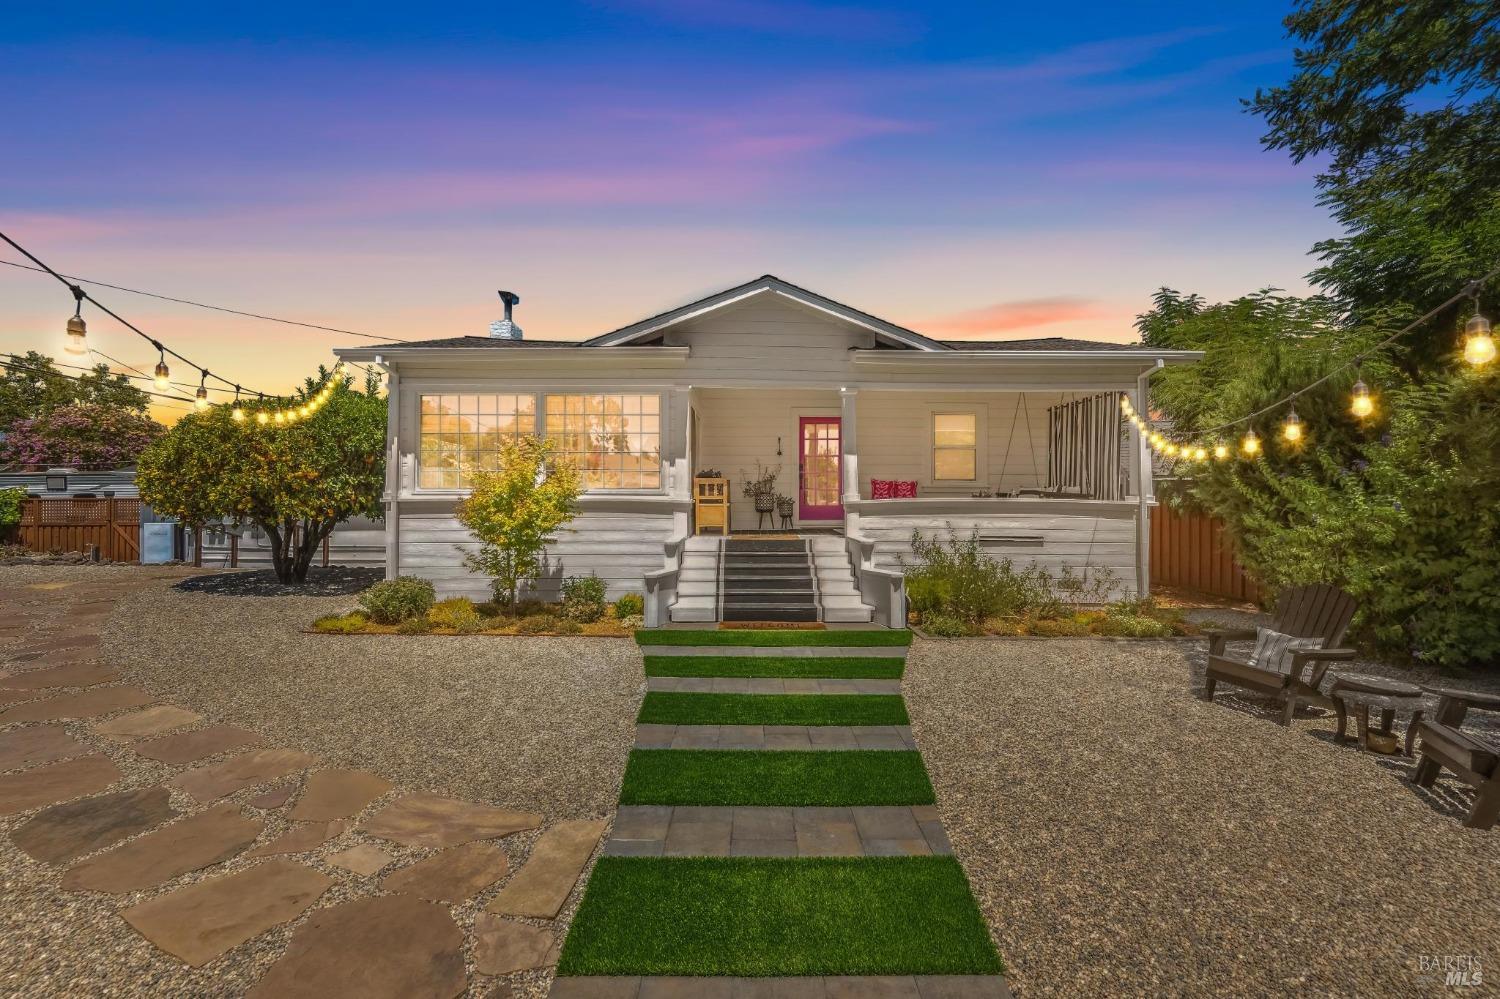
(770, 778)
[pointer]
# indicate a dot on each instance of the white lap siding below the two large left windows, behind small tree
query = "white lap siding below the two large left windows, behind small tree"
(620, 548)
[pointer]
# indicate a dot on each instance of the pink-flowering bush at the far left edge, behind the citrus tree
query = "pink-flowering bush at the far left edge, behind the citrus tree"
(80, 437)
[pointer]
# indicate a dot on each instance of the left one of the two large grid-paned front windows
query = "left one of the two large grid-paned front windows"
(464, 433)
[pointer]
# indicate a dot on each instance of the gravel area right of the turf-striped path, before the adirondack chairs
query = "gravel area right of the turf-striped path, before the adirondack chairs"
(1126, 839)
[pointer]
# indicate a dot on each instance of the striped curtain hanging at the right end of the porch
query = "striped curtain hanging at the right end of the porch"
(1085, 454)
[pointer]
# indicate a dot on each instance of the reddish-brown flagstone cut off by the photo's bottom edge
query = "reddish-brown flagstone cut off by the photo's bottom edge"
(392, 946)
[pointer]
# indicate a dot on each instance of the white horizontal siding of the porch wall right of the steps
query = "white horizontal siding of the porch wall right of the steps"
(1085, 542)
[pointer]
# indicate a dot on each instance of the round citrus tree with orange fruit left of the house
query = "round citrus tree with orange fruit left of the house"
(295, 481)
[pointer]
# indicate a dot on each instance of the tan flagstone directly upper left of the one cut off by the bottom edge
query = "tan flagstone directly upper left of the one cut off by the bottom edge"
(208, 919)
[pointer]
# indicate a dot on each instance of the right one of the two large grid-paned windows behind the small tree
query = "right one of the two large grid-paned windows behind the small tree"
(616, 442)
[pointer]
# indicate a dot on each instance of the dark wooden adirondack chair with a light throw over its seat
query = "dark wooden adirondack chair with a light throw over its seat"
(1322, 613)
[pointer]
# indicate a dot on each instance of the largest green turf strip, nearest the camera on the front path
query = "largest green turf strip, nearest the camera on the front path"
(760, 917)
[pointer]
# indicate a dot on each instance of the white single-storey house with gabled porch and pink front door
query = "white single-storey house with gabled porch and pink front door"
(1022, 442)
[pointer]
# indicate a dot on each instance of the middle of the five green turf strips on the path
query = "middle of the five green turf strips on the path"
(710, 709)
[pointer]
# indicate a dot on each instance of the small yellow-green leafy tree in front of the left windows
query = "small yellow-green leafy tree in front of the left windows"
(515, 511)
